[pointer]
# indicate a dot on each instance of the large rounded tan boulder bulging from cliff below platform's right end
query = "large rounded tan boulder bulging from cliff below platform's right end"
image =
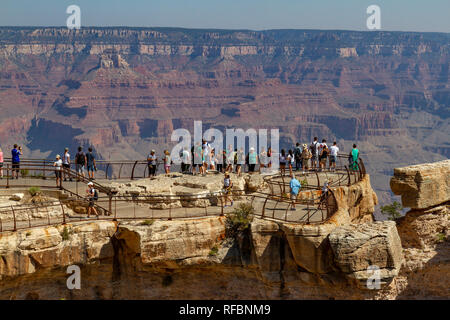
(358, 246)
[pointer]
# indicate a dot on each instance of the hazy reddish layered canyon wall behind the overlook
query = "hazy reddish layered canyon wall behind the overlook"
(124, 90)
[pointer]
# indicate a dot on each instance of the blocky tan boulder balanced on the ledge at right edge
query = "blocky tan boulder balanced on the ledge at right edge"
(423, 185)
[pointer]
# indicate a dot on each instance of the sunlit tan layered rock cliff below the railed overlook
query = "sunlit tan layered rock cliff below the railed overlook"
(195, 259)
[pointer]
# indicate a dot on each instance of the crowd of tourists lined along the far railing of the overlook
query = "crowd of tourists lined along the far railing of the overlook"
(302, 157)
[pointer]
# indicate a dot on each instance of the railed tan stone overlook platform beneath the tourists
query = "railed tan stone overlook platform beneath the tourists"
(172, 196)
